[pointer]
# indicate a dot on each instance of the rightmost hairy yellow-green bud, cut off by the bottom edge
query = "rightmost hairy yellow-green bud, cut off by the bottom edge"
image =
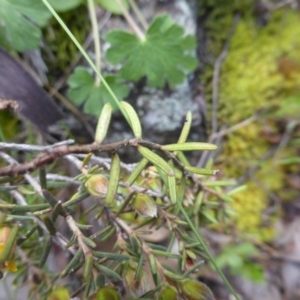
(195, 290)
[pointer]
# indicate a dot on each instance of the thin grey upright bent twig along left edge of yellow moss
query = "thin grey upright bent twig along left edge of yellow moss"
(216, 75)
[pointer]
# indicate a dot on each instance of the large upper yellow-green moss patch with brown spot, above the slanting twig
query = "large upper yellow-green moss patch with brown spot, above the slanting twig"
(262, 67)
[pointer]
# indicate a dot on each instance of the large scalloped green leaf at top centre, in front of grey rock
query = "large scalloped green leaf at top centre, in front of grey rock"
(160, 56)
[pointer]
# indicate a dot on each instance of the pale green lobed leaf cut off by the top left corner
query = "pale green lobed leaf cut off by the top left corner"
(19, 23)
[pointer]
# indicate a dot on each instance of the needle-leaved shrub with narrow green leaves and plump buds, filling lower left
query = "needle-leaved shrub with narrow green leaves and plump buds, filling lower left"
(127, 204)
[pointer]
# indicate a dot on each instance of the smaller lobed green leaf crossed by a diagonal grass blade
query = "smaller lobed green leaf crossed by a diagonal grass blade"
(84, 90)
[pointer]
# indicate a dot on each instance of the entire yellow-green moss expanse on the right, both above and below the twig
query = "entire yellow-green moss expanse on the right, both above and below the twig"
(262, 69)
